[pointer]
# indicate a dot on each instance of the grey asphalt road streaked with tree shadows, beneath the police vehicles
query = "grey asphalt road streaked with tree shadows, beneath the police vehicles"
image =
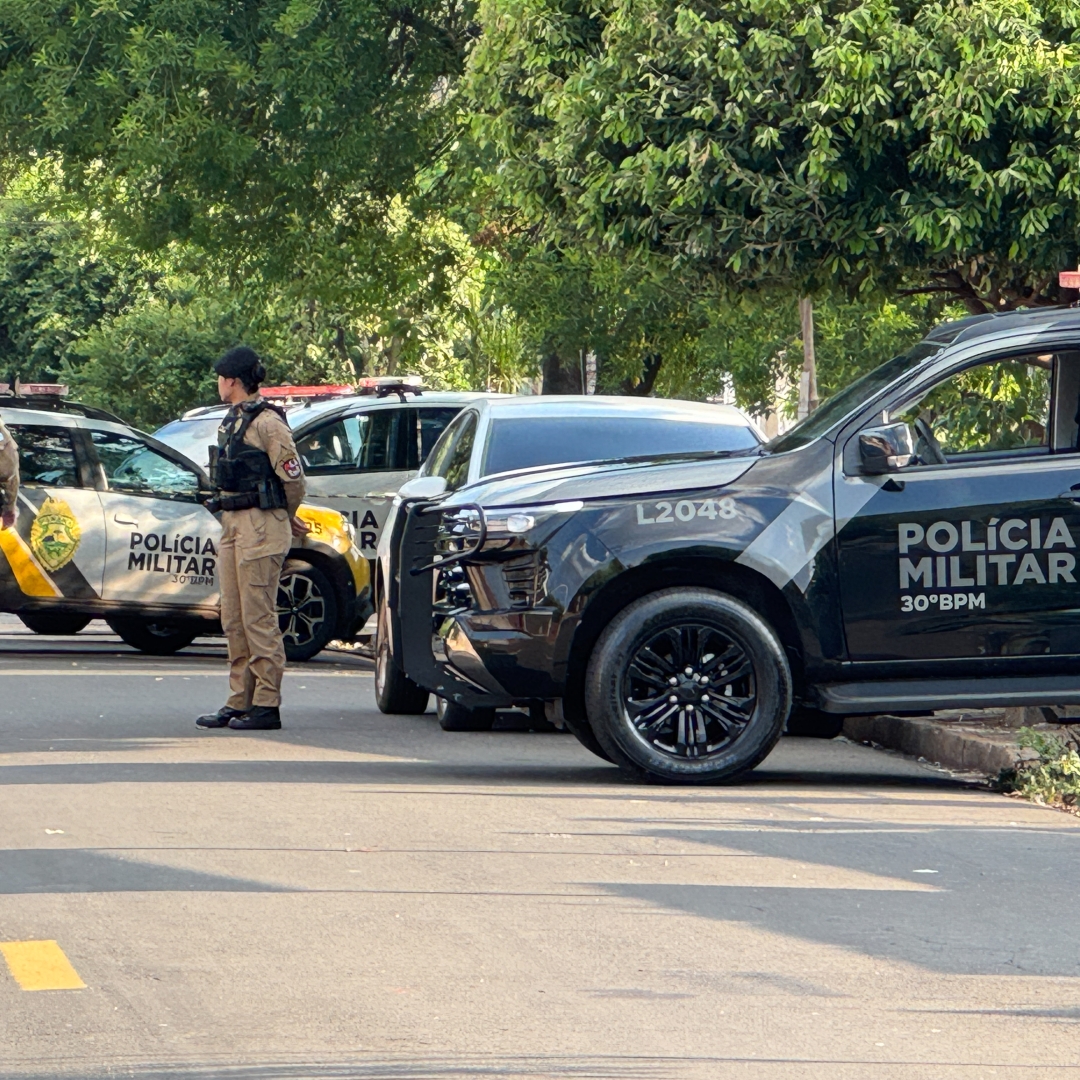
(369, 897)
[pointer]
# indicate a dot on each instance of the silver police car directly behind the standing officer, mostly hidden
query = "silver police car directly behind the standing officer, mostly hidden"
(358, 444)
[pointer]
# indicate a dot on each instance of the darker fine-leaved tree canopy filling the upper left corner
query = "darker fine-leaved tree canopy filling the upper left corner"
(275, 136)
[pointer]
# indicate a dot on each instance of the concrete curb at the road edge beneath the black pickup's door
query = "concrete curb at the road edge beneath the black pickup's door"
(951, 744)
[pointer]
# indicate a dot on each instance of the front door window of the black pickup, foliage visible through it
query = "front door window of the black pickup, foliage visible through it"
(996, 409)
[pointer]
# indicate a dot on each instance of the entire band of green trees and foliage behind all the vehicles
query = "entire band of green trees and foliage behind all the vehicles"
(489, 195)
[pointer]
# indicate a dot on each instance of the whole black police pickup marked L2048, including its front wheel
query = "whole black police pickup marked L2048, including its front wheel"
(911, 546)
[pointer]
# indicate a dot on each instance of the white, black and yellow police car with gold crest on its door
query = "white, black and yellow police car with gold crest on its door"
(111, 525)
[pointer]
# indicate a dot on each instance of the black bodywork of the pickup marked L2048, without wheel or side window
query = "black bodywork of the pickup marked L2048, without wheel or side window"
(963, 572)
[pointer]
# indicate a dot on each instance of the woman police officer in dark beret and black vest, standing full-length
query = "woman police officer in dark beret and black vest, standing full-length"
(260, 485)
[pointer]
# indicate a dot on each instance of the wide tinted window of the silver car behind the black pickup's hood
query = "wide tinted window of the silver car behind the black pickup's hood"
(528, 442)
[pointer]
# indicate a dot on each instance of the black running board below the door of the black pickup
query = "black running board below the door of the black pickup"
(908, 696)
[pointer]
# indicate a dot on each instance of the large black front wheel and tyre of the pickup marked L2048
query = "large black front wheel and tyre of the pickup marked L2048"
(688, 686)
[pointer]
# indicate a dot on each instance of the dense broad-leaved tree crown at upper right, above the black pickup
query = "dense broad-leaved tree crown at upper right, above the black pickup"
(771, 143)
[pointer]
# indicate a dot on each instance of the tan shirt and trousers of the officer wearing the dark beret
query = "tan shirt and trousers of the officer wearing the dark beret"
(254, 545)
